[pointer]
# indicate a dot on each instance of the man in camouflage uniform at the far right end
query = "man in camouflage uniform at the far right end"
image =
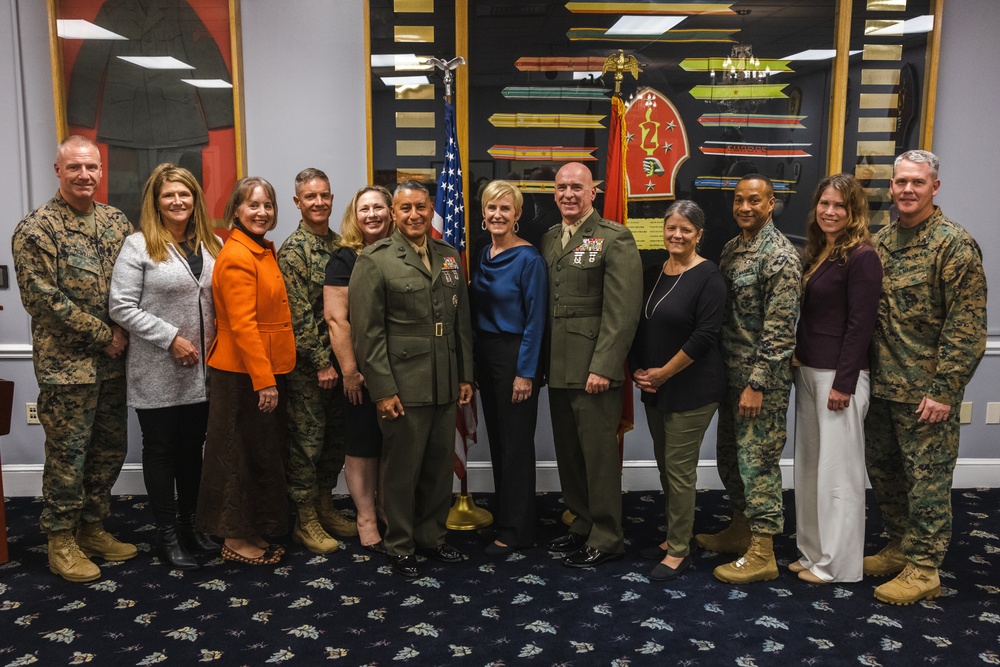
(930, 336)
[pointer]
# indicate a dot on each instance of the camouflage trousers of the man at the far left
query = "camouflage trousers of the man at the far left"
(86, 440)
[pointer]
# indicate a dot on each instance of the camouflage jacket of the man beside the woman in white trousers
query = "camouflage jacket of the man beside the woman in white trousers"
(764, 278)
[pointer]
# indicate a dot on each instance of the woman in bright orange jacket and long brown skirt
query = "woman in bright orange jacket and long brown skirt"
(243, 492)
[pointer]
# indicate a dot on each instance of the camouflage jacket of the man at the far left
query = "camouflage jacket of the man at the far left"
(64, 274)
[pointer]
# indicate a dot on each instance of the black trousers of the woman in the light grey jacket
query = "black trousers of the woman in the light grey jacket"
(172, 441)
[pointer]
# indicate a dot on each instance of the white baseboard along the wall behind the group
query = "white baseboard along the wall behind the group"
(26, 480)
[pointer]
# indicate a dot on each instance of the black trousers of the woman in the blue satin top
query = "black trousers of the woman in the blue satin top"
(511, 428)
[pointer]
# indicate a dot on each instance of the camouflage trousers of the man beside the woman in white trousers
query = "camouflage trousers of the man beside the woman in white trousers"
(748, 455)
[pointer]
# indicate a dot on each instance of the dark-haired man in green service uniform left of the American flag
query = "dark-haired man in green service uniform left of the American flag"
(412, 335)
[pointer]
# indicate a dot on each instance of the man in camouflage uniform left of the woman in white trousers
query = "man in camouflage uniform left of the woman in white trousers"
(763, 275)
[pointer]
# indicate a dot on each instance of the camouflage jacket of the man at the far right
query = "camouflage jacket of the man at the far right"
(931, 330)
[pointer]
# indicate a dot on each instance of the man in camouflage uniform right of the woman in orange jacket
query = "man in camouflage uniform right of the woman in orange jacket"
(315, 407)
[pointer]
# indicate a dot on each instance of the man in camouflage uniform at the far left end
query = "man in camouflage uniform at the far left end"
(63, 255)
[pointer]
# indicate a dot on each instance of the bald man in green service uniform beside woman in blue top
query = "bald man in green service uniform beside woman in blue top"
(595, 295)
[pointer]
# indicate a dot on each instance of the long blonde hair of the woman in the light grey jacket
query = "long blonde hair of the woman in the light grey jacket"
(199, 228)
